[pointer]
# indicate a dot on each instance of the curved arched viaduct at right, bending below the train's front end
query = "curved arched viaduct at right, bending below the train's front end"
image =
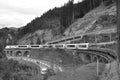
(104, 56)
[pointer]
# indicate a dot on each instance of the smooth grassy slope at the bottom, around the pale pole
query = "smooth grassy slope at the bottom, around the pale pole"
(85, 72)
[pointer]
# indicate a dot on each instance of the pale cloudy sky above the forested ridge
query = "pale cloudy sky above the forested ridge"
(17, 13)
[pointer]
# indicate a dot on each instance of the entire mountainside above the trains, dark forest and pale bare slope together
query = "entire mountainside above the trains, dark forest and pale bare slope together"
(56, 23)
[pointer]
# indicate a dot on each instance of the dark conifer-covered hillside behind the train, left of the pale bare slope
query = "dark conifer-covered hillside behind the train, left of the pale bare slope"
(53, 23)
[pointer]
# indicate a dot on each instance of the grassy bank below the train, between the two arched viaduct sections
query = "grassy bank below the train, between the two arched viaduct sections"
(56, 56)
